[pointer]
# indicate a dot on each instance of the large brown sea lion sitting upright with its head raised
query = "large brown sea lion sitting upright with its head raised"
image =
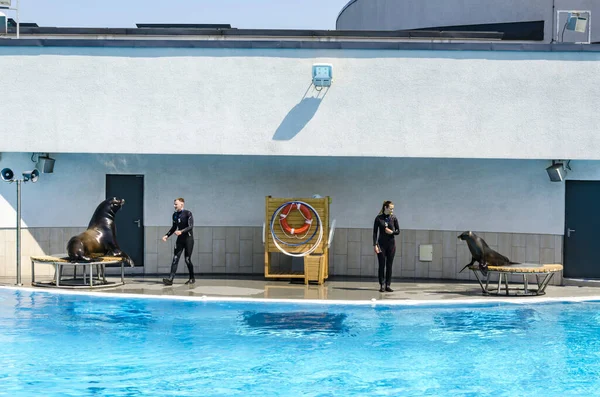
(100, 238)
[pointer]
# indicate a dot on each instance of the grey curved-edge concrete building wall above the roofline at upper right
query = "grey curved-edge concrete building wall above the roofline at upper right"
(408, 14)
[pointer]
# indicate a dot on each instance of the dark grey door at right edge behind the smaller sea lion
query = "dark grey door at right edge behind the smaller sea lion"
(582, 229)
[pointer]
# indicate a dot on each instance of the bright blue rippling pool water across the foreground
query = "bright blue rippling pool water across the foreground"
(75, 345)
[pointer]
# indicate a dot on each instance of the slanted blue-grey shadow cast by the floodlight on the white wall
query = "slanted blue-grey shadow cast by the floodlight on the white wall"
(300, 115)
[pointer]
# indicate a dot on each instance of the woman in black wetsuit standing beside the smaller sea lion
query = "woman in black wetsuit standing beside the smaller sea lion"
(384, 230)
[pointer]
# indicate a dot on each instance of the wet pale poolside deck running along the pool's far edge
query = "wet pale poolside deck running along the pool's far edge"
(405, 291)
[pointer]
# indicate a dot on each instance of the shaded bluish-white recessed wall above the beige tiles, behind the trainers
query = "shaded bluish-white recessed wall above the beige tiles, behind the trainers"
(430, 194)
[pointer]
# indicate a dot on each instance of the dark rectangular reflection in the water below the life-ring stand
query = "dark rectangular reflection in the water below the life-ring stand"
(303, 322)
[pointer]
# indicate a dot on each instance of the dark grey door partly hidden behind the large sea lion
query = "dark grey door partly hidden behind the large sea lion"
(129, 219)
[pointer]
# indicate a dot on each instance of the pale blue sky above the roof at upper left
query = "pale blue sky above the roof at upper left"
(242, 14)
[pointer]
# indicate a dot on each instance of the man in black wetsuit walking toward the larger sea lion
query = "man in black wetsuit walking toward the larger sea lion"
(183, 225)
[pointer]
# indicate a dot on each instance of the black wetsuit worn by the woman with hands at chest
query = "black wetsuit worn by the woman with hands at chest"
(387, 245)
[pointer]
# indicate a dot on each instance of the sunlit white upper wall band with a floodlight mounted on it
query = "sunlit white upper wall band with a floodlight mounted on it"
(447, 104)
